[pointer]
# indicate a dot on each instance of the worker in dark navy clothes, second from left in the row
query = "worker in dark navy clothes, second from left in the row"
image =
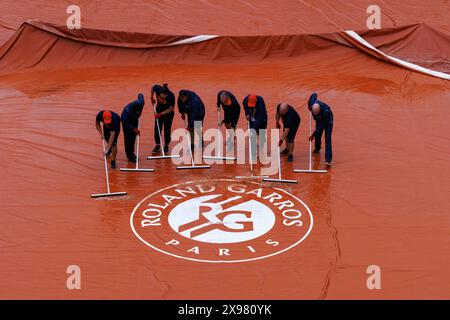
(130, 123)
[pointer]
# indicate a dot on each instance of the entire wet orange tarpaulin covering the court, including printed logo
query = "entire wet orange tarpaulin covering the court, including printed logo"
(384, 202)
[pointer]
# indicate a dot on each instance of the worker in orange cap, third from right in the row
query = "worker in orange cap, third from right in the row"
(256, 113)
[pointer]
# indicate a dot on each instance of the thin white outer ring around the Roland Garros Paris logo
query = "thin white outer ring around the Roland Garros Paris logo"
(220, 261)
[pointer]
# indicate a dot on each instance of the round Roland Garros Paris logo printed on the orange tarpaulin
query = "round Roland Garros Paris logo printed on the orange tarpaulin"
(221, 221)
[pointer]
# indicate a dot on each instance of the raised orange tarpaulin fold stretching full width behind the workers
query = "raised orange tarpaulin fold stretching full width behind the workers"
(57, 47)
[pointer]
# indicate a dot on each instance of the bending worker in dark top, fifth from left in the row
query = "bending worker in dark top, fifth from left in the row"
(231, 110)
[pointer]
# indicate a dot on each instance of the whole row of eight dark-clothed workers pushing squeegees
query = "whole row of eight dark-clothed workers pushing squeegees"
(192, 109)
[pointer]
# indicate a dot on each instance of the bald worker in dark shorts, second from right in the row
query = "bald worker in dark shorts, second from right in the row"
(291, 122)
